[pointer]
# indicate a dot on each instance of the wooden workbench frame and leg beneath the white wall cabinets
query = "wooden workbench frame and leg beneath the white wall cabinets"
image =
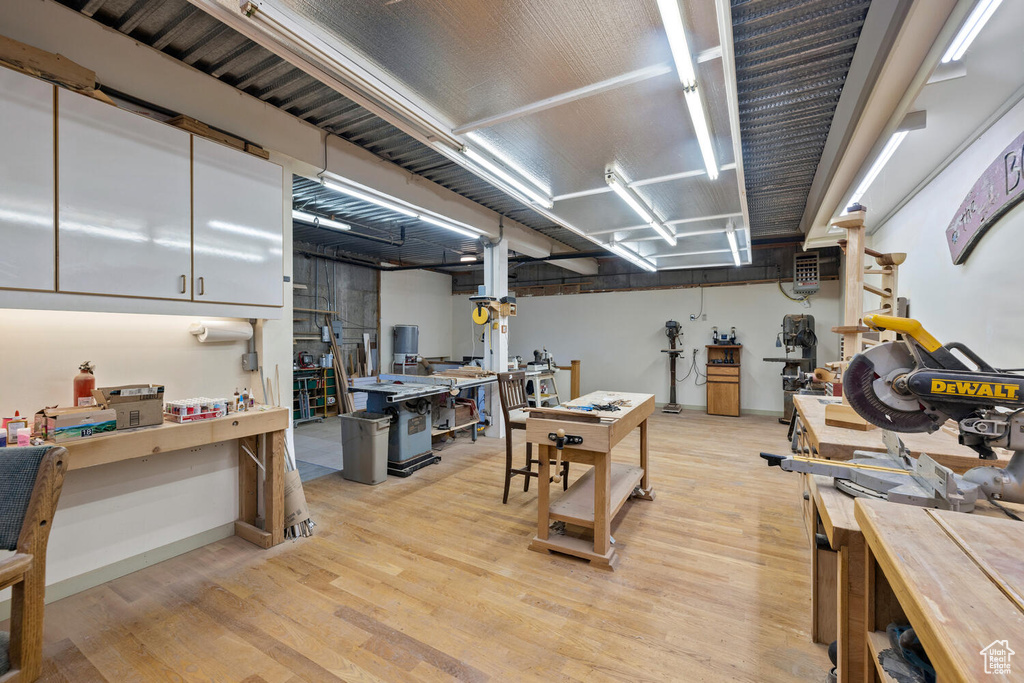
(248, 428)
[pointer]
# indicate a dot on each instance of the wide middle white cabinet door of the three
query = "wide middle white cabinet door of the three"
(124, 220)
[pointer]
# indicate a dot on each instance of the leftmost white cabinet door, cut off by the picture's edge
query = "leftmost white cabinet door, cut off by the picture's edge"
(27, 248)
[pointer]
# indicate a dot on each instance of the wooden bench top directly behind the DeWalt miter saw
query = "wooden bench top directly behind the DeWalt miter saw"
(819, 440)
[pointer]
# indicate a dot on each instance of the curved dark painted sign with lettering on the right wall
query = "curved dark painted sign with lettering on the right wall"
(998, 191)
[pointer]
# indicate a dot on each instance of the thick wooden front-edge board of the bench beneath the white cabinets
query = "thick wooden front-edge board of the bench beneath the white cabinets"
(169, 437)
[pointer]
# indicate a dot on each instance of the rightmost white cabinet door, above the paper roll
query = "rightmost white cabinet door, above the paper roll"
(238, 227)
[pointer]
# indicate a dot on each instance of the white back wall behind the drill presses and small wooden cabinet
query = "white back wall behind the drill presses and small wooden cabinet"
(619, 337)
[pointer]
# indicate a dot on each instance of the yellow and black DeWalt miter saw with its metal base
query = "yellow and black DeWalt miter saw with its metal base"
(916, 385)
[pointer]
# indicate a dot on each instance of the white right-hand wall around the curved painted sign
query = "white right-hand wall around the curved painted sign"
(978, 304)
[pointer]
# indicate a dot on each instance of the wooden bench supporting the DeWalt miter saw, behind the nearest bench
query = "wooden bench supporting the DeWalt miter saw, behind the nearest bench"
(839, 591)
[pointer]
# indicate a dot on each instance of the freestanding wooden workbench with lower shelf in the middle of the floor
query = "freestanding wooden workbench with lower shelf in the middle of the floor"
(592, 501)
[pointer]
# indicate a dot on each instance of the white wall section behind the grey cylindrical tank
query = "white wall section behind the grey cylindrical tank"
(417, 297)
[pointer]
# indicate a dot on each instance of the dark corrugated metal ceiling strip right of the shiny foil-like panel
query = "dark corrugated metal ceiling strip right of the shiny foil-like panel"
(792, 62)
